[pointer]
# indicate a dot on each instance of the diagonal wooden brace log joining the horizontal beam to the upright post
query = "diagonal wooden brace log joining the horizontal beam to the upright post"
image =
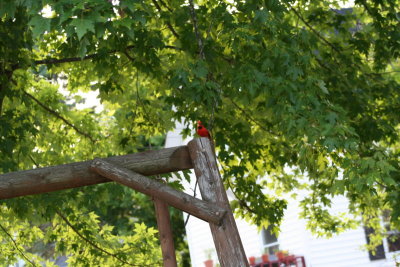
(199, 208)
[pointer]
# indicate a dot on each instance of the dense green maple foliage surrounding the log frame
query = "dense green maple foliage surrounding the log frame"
(299, 95)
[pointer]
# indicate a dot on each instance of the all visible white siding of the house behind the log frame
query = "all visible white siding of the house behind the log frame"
(343, 250)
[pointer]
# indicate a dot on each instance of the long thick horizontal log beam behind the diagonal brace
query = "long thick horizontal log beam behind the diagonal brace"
(77, 174)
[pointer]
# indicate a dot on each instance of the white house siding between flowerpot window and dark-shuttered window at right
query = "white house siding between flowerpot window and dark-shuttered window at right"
(343, 250)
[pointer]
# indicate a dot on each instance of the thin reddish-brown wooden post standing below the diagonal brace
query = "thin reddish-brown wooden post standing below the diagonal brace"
(165, 232)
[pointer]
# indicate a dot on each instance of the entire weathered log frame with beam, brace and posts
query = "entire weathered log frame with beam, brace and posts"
(131, 170)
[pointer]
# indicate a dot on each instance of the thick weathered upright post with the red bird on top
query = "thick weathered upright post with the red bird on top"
(226, 236)
